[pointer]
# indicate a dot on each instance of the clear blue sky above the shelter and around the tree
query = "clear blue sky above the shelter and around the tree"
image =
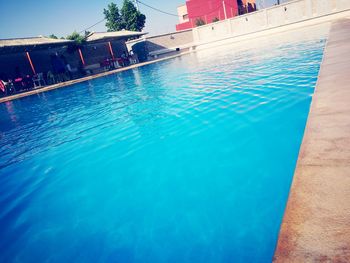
(25, 18)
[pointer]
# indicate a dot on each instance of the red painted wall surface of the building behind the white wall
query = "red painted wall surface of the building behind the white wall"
(207, 10)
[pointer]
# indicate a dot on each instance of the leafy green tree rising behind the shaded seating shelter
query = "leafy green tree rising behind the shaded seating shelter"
(127, 18)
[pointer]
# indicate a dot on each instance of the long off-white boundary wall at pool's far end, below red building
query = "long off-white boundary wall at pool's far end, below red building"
(291, 12)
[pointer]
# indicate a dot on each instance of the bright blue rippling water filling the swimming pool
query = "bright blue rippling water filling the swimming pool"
(186, 160)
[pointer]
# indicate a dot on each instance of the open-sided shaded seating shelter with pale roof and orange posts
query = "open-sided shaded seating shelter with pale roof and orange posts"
(24, 60)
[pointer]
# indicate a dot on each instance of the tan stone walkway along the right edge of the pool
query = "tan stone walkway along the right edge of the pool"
(316, 225)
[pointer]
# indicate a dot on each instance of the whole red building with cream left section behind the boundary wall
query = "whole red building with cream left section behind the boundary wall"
(209, 11)
